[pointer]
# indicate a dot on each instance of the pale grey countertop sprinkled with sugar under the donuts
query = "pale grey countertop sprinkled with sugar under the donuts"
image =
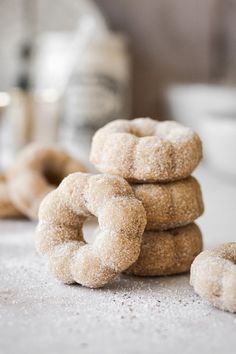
(131, 315)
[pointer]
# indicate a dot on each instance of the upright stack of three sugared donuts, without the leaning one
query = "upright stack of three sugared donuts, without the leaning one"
(157, 159)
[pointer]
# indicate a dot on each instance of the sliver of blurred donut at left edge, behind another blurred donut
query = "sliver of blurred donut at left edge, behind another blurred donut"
(7, 208)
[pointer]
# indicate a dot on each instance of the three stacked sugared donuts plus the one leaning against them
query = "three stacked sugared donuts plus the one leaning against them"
(144, 199)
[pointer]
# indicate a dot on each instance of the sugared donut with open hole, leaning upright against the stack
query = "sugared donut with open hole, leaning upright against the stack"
(121, 219)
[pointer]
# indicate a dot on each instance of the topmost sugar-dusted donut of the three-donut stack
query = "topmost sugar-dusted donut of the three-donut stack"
(146, 150)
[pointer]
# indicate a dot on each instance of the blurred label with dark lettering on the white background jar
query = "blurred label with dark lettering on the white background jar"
(94, 99)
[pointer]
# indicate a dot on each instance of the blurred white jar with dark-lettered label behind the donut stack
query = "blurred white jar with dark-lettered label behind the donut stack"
(98, 89)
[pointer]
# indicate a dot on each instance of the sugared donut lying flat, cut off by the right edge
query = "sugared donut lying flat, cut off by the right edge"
(213, 276)
